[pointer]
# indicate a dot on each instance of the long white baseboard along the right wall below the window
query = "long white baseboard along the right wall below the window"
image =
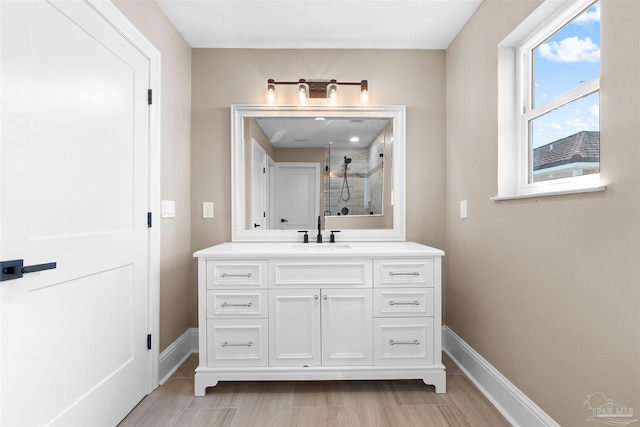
(514, 405)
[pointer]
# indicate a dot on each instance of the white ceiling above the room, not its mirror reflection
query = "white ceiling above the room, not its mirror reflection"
(321, 24)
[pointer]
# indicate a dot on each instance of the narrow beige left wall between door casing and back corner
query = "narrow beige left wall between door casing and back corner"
(177, 288)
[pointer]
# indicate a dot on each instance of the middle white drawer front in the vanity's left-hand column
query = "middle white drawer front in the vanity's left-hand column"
(237, 304)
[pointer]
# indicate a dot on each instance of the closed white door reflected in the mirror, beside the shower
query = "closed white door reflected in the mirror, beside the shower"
(298, 195)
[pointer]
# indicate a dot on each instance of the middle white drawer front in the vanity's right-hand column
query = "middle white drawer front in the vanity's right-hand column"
(402, 302)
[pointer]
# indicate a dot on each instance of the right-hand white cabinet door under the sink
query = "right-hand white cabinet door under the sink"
(347, 327)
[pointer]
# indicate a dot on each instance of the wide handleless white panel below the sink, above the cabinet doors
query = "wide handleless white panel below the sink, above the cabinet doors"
(323, 273)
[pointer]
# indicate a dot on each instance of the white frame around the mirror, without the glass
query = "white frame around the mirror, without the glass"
(240, 112)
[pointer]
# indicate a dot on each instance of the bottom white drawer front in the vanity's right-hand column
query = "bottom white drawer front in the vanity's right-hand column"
(403, 341)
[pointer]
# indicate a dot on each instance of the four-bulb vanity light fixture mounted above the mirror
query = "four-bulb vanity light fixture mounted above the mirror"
(317, 89)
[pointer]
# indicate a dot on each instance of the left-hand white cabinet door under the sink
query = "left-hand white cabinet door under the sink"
(294, 327)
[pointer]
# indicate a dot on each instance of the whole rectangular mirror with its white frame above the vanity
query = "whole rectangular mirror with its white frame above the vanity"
(293, 164)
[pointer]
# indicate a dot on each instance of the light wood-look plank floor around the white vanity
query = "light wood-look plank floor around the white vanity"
(315, 403)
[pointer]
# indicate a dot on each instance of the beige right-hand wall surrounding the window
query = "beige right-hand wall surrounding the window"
(546, 289)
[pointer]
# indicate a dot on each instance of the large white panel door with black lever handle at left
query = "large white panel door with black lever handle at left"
(74, 190)
